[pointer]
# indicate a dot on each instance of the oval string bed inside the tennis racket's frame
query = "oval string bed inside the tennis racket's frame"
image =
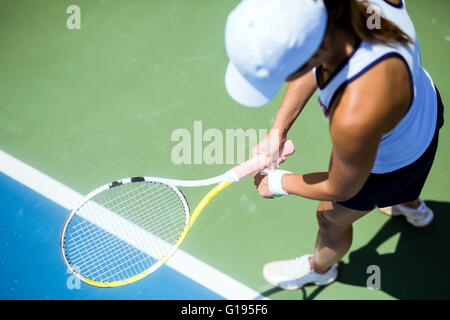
(125, 231)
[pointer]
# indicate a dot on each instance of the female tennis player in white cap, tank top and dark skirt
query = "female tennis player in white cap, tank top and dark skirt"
(384, 112)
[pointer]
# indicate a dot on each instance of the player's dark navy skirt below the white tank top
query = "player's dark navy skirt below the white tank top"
(399, 186)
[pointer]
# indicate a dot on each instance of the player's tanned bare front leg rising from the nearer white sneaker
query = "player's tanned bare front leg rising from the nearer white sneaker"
(335, 234)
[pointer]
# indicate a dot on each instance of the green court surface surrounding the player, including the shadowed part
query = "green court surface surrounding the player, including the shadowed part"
(92, 105)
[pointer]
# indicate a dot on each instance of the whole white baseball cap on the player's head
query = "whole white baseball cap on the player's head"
(268, 40)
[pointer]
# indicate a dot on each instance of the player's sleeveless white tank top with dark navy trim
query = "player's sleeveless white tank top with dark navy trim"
(410, 138)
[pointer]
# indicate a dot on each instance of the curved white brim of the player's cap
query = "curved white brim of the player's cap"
(250, 93)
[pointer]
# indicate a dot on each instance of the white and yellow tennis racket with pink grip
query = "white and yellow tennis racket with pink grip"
(125, 230)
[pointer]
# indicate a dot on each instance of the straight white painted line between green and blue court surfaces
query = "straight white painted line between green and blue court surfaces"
(181, 261)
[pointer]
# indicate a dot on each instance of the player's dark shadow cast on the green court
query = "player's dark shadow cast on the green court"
(417, 269)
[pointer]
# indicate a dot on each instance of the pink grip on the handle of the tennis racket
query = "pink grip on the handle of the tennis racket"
(259, 162)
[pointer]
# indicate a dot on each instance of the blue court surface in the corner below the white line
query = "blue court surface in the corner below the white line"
(31, 266)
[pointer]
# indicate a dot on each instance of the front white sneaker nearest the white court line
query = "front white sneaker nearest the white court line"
(294, 274)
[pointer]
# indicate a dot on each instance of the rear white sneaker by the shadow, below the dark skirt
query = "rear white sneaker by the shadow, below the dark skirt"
(420, 217)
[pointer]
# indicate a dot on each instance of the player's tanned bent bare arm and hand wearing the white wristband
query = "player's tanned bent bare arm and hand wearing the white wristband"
(356, 127)
